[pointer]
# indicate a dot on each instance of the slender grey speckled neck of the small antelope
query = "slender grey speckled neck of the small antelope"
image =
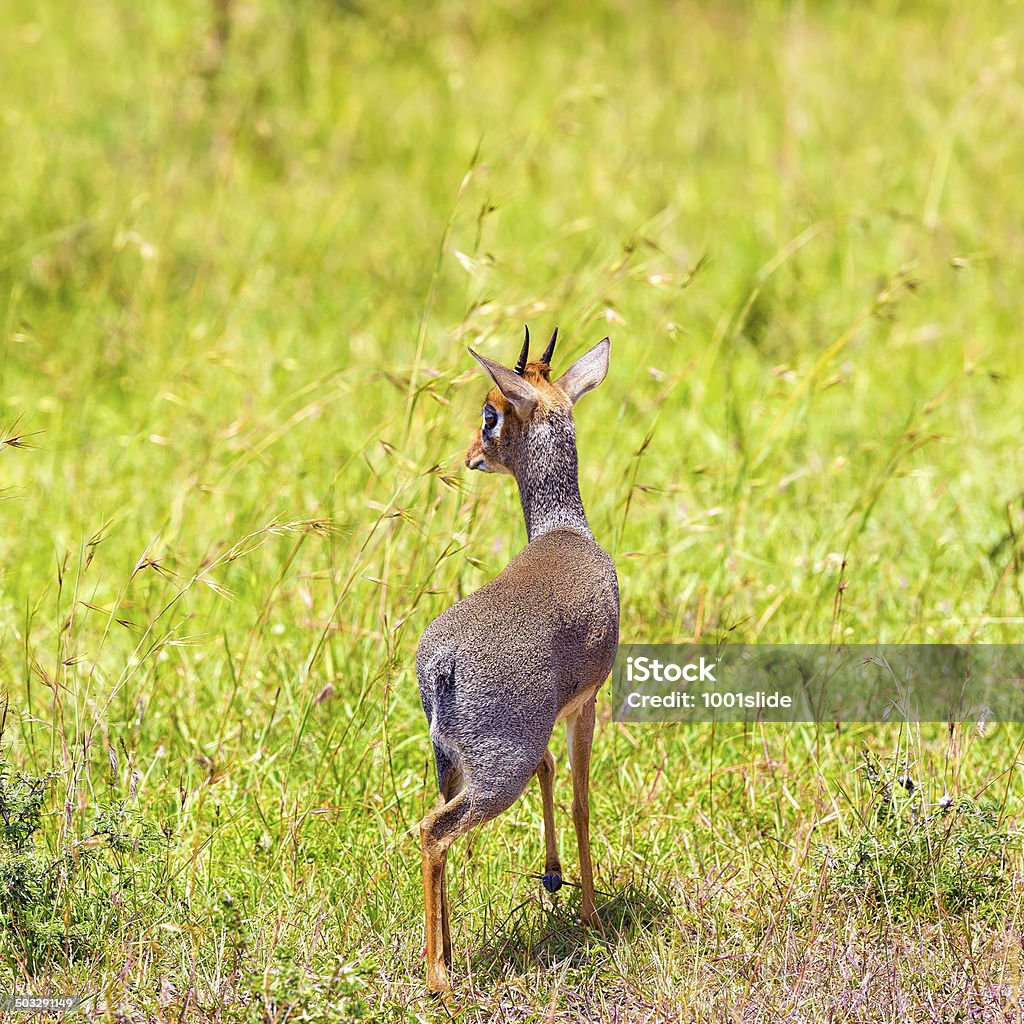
(548, 479)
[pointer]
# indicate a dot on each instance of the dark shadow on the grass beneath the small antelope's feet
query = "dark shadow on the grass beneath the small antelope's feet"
(545, 931)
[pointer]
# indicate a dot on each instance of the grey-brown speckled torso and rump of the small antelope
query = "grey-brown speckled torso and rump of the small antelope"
(498, 669)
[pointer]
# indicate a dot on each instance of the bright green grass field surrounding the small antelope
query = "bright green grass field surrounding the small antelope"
(243, 248)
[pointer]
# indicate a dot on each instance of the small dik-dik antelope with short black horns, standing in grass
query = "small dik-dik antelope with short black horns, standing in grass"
(501, 667)
